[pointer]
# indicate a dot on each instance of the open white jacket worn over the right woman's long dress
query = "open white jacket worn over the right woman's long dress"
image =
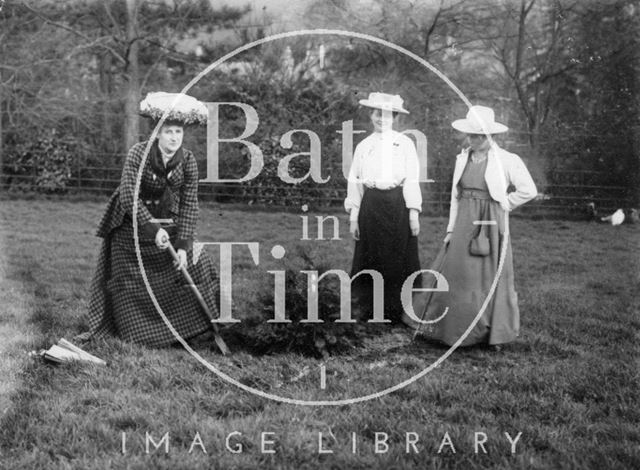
(499, 161)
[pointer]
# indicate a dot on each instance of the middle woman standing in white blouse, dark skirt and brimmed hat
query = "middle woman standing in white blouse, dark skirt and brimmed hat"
(384, 202)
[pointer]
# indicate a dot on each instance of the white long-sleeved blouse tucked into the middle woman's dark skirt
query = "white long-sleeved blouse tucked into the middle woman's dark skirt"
(384, 160)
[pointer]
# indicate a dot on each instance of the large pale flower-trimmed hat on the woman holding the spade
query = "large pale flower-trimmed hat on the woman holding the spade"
(180, 108)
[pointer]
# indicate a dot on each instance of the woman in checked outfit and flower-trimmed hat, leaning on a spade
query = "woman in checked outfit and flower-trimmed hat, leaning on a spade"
(167, 209)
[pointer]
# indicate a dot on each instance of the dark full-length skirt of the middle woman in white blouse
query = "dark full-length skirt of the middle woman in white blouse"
(387, 246)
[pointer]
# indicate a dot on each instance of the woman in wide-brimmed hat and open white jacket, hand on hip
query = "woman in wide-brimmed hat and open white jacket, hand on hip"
(483, 173)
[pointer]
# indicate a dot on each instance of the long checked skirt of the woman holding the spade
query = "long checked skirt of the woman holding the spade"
(120, 304)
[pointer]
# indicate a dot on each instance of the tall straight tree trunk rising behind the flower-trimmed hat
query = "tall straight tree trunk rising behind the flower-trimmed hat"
(132, 94)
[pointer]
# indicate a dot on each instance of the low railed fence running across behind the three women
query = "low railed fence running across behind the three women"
(569, 192)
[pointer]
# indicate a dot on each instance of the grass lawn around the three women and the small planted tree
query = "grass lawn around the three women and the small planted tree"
(569, 384)
